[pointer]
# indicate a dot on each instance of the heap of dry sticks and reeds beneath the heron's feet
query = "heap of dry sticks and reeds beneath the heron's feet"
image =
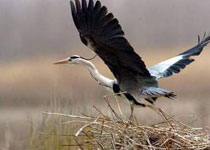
(106, 133)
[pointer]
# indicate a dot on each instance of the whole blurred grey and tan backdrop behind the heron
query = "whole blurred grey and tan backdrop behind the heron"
(35, 33)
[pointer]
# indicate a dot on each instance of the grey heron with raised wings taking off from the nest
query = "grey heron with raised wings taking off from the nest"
(101, 32)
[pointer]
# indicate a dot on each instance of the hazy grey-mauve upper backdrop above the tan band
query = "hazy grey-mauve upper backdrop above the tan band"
(44, 27)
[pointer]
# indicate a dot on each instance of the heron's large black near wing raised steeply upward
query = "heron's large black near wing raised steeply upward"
(100, 31)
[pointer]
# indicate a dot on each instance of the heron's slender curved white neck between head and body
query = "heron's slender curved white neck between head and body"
(102, 80)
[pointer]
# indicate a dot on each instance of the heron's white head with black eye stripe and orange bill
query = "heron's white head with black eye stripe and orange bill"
(74, 59)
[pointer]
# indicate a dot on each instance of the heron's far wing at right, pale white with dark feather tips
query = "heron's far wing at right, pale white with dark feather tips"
(179, 62)
